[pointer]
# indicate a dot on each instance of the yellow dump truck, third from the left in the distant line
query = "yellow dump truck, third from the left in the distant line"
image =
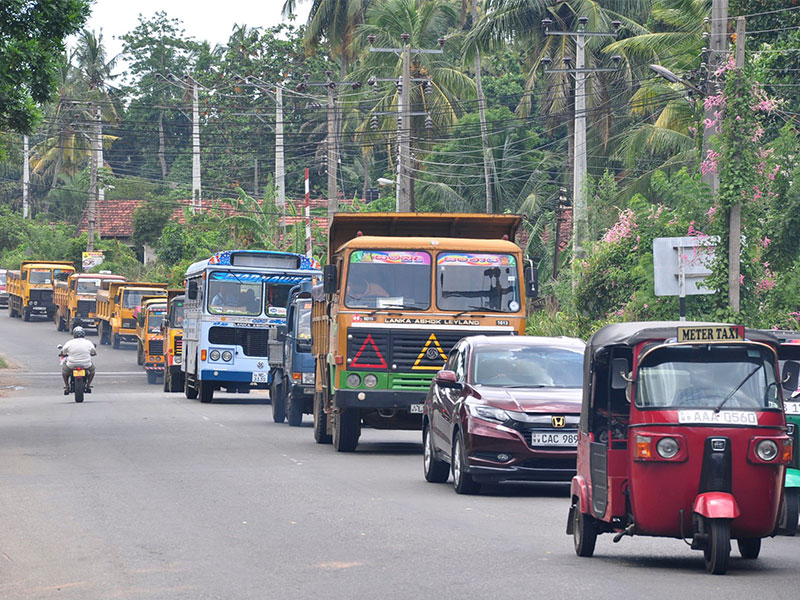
(117, 305)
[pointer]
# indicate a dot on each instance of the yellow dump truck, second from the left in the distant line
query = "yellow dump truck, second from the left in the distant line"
(76, 300)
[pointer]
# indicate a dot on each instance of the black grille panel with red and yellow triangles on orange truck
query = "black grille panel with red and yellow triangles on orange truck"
(411, 351)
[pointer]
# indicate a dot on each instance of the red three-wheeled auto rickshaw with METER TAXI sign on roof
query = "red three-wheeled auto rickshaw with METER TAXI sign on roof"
(682, 434)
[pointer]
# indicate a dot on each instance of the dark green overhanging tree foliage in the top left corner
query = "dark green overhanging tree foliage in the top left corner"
(31, 44)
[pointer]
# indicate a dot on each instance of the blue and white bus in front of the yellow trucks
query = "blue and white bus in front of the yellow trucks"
(233, 299)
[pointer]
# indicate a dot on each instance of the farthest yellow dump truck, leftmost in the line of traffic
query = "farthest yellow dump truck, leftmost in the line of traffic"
(30, 289)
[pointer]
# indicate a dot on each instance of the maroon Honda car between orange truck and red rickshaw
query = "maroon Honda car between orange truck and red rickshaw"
(504, 408)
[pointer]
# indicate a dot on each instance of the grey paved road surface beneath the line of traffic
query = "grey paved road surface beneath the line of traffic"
(140, 494)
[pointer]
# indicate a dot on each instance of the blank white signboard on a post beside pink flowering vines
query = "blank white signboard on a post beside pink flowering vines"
(683, 262)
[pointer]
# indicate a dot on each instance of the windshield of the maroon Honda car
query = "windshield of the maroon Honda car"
(528, 366)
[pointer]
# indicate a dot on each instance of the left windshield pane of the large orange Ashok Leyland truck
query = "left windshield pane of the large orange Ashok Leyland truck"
(388, 279)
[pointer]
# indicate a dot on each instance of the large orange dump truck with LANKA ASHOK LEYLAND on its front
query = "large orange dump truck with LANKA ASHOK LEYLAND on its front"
(400, 290)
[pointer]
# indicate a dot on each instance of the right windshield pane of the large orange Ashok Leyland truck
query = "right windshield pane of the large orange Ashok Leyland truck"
(469, 281)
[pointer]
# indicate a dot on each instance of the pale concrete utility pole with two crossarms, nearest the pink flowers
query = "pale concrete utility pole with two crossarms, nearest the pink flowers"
(580, 212)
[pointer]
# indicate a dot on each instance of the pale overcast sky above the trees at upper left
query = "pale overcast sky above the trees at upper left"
(202, 19)
